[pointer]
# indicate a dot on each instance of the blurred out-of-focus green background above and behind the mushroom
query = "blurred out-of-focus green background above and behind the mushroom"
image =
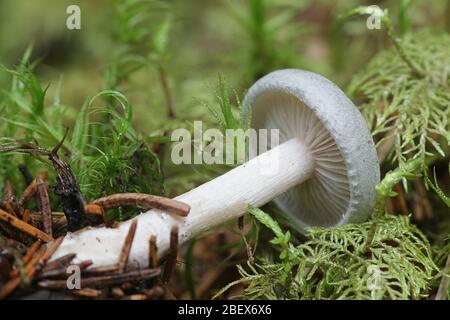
(189, 43)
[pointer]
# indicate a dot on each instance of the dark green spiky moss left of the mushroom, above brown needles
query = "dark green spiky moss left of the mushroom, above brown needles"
(105, 152)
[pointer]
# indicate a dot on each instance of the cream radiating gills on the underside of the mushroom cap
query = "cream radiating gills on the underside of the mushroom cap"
(323, 199)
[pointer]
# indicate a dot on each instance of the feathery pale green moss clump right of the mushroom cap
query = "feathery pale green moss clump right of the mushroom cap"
(410, 109)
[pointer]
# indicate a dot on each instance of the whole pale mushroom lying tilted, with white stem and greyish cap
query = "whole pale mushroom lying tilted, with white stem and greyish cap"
(326, 173)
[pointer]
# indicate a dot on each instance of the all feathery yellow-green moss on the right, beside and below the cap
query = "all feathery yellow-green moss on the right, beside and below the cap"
(404, 95)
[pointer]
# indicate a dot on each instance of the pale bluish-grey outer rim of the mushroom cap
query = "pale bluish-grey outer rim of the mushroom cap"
(353, 137)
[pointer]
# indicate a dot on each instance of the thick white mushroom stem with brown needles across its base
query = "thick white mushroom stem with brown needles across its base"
(227, 197)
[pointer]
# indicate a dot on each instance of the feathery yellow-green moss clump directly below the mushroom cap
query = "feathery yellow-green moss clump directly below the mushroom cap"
(335, 263)
